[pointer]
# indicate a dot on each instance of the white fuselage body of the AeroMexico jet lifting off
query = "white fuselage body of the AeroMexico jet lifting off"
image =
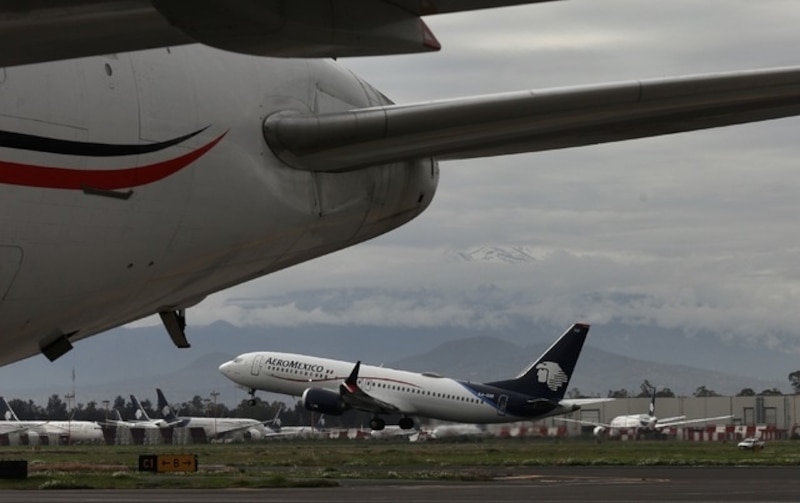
(414, 394)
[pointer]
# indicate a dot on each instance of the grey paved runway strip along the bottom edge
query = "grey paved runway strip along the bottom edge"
(540, 484)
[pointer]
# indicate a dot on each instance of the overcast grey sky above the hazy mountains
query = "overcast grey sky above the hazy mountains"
(697, 231)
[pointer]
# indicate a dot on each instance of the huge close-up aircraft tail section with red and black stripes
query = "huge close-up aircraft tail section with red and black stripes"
(153, 152)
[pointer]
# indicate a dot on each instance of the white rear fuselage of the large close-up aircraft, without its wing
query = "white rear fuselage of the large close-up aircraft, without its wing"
(77, 260)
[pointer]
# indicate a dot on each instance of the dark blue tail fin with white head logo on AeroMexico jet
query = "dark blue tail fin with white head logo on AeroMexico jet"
(548, 377)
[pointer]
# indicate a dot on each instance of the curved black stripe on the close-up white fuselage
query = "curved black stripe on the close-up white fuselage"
(35, 143)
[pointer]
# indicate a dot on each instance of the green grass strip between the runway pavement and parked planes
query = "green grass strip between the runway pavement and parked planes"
(312, 463)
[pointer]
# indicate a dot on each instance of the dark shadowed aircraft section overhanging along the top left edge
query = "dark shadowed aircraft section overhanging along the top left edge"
(48, 30)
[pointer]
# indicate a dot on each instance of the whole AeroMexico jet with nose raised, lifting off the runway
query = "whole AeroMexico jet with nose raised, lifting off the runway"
(333, 386)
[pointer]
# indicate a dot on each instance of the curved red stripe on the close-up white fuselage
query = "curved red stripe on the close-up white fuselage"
(29, 175)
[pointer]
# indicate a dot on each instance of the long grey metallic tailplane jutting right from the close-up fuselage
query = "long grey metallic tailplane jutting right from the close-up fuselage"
(531, 121)
